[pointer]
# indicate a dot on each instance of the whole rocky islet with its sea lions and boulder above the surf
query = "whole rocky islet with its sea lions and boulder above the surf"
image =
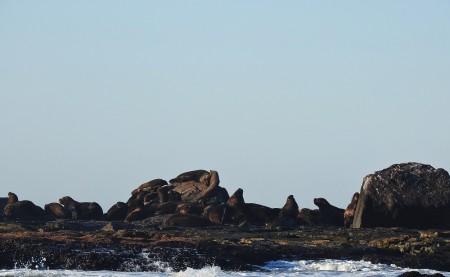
(400, 216)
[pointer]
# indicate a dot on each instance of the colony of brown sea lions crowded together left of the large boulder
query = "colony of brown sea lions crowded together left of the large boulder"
(192, 199)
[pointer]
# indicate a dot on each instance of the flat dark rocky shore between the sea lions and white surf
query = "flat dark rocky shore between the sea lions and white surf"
(145, 246)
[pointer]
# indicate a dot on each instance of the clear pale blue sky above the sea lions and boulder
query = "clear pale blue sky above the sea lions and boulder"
(280, 97)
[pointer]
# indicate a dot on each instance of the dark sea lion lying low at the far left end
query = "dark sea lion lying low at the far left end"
(25, 210)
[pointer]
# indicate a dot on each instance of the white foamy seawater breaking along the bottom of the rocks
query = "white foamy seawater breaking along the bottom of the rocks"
(275, 268)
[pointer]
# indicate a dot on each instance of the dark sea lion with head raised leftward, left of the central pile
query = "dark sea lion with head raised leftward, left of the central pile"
(82, 210)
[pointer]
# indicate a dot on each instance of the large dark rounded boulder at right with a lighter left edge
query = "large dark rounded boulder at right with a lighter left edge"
(411, 195)
